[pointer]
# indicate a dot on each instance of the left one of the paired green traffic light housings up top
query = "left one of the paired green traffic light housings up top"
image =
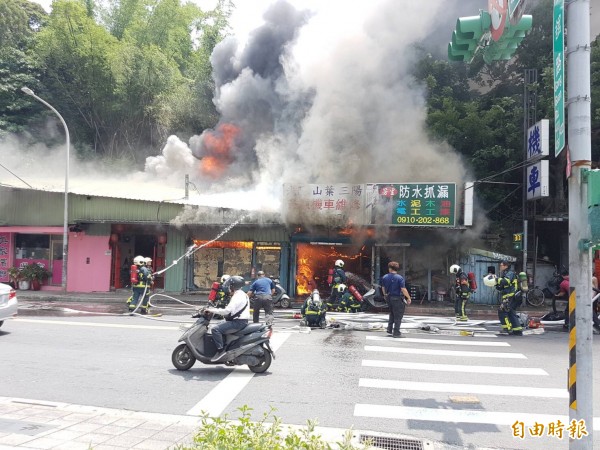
(466, 37)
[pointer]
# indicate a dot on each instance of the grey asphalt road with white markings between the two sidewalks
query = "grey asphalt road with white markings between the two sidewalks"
(441, 387)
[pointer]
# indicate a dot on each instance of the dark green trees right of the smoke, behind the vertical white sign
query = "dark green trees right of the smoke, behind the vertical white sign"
(478, 109)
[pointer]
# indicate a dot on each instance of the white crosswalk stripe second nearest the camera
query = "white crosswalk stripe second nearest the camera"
(520, 391)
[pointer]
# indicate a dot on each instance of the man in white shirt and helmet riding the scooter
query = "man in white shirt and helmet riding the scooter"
(236, 314)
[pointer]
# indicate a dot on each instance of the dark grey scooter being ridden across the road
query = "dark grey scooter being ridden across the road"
(248, 346)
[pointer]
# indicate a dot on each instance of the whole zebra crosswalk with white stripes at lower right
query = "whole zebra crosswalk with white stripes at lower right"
(416, 384)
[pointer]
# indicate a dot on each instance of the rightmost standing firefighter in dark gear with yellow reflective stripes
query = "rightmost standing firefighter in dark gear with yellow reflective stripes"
(507, 285)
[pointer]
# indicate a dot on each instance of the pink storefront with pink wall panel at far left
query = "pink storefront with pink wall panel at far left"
(88, 259)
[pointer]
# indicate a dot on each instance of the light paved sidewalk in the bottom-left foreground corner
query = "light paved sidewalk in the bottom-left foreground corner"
(43, 425)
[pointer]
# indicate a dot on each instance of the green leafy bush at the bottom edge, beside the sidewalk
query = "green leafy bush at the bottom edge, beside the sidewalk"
(222, 434)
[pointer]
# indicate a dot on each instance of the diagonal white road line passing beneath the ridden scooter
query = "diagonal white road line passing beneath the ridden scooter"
(215, 402)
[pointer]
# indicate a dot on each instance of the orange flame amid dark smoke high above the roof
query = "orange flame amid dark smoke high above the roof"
(217, 145)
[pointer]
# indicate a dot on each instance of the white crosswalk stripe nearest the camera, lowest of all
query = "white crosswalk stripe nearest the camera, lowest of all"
(458, 416)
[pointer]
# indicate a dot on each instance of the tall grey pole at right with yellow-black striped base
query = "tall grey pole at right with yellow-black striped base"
(580, 299)
